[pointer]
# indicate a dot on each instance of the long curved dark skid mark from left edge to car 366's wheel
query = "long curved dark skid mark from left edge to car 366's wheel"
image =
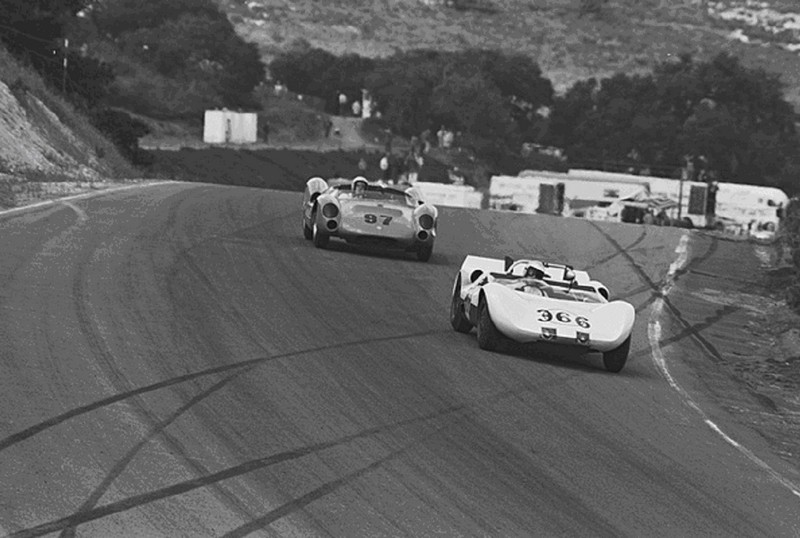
(40, 427)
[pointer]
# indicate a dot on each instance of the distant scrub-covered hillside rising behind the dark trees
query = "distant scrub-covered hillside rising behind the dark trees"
(627, 35)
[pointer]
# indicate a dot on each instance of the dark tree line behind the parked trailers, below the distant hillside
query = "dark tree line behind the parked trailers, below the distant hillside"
(730, 122)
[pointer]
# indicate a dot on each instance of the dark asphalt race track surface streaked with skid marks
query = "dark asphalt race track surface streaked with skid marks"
(178, 361)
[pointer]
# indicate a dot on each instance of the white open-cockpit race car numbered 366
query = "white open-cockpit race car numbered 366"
(533, 301)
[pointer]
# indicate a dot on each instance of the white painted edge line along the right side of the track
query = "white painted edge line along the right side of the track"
(654, 336)
